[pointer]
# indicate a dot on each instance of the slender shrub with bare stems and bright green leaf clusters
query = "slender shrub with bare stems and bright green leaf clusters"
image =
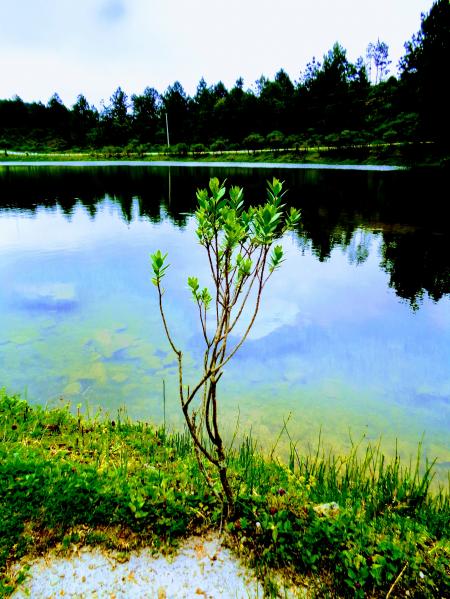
(242, 257)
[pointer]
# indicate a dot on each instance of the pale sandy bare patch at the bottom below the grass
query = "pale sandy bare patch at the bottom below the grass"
(202, 568)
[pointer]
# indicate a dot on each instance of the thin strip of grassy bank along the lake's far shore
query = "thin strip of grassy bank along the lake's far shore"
(395, 154)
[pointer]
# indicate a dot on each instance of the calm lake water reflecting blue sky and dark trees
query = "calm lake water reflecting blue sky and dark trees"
(353, 337)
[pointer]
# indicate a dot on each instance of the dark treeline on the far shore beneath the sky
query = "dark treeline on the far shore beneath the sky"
(334, 102)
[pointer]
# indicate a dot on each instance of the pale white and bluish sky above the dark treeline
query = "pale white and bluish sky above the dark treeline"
(93, 46)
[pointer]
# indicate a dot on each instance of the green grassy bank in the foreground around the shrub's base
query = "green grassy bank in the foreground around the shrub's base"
(350, 526)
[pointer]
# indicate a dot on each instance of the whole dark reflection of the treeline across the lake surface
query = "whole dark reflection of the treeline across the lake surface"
(339, 209)
